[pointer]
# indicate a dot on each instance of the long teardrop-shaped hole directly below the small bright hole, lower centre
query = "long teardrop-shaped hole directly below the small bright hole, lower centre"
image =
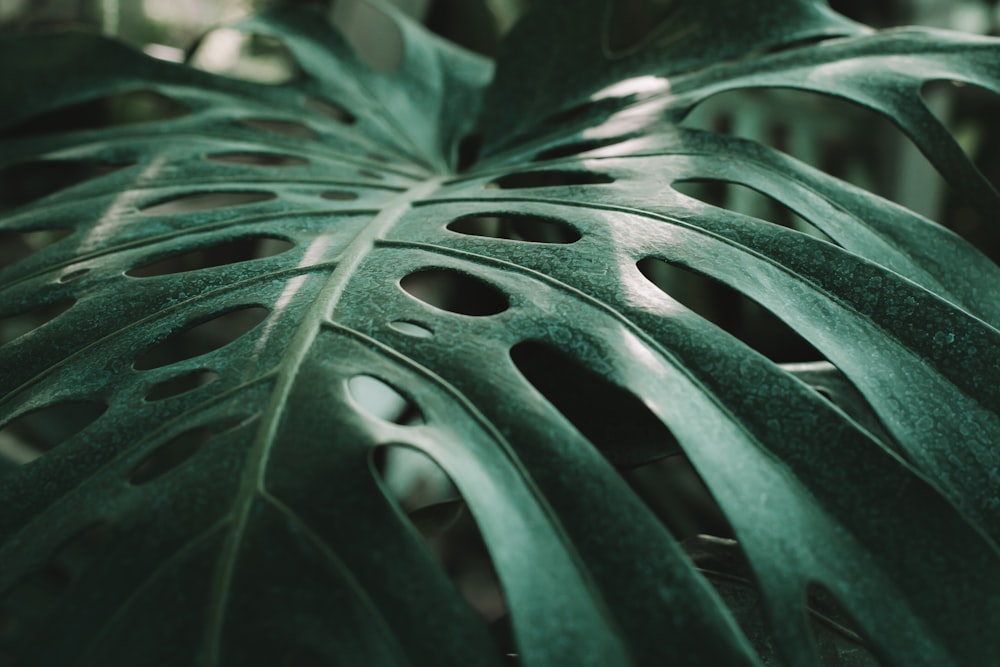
(427, 497)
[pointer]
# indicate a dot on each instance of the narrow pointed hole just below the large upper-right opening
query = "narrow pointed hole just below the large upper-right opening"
(748, 201)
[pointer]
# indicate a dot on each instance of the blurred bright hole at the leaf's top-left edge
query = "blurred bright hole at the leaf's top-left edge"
(244, 56)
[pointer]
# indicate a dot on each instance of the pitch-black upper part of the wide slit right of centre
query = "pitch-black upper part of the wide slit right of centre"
(611, 417)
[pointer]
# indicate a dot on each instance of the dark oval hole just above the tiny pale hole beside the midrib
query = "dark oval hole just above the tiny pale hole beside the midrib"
(455, 292)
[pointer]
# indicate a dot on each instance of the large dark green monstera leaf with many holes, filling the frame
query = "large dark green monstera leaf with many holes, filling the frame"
(246, 300)
